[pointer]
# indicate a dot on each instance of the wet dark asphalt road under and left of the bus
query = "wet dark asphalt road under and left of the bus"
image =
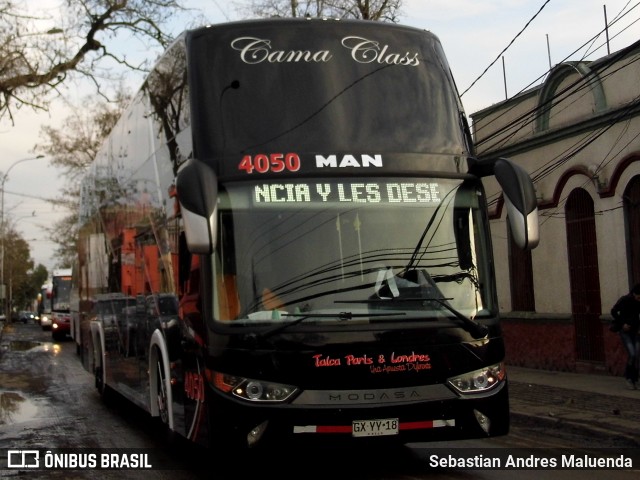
(48, 402)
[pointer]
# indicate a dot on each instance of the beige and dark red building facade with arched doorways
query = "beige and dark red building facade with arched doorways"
(578, 136)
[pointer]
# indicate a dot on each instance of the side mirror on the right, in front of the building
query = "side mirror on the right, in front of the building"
(520, 199)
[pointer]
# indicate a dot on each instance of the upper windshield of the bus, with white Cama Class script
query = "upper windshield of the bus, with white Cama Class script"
(315, 88)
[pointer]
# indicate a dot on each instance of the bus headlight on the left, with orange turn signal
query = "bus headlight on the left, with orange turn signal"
(252, 390)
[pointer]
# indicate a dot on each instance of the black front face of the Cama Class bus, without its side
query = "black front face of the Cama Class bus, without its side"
(346, 283)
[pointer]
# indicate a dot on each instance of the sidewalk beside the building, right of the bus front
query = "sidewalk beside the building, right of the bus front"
(597, 407)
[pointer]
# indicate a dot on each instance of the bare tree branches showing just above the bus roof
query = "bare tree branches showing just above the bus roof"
(382, 10)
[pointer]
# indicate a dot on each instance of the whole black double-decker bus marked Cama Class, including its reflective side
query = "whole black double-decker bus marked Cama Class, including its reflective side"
(292, 227)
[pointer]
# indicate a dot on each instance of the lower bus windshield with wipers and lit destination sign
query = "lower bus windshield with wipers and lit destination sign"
(376, 249)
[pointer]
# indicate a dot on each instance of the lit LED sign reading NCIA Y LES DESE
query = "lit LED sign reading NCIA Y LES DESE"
(347, 192)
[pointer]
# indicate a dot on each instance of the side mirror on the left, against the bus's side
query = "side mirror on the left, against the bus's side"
(197, 190)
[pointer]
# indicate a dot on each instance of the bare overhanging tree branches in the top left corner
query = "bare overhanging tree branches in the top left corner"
(37, 56)
